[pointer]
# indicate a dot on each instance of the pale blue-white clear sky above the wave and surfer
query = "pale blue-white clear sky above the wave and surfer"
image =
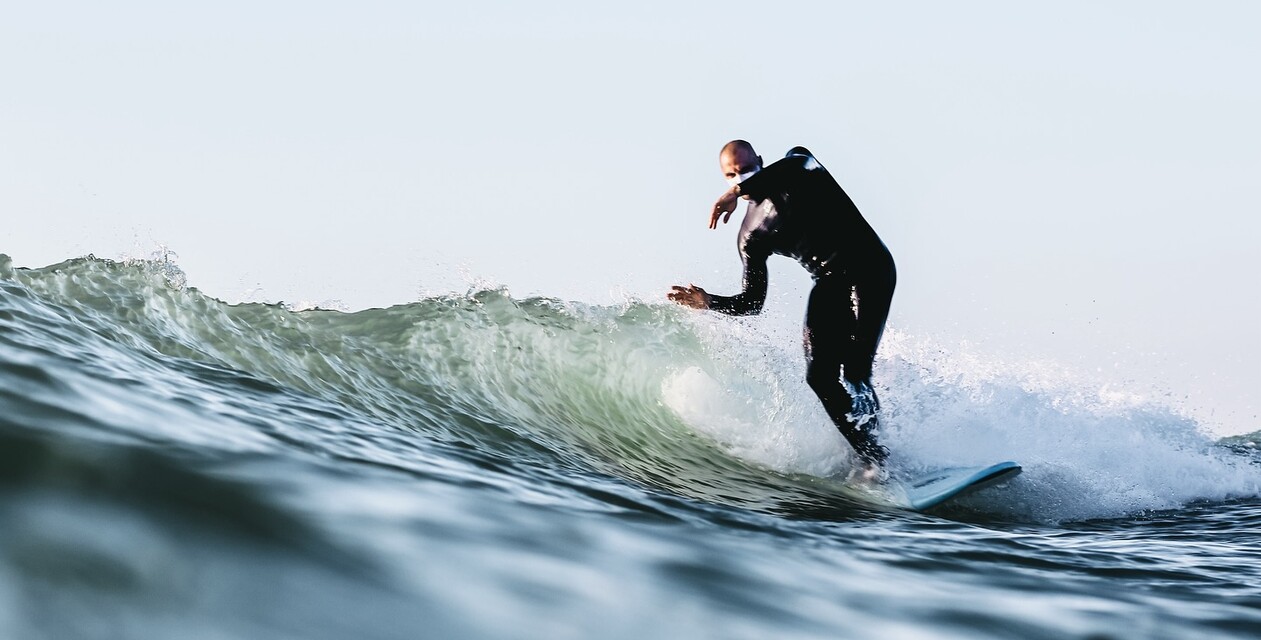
(1074, 181)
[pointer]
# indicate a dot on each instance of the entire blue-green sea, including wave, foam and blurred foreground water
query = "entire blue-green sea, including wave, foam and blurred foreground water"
(486, 467)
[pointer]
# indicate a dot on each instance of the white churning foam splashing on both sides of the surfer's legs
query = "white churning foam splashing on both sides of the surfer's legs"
(1089, 449)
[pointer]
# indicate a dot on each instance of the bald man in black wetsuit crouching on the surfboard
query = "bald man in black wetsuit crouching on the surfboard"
(798, 210)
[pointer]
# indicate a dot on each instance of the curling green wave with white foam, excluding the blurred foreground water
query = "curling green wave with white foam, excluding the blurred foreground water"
(693, 405)
